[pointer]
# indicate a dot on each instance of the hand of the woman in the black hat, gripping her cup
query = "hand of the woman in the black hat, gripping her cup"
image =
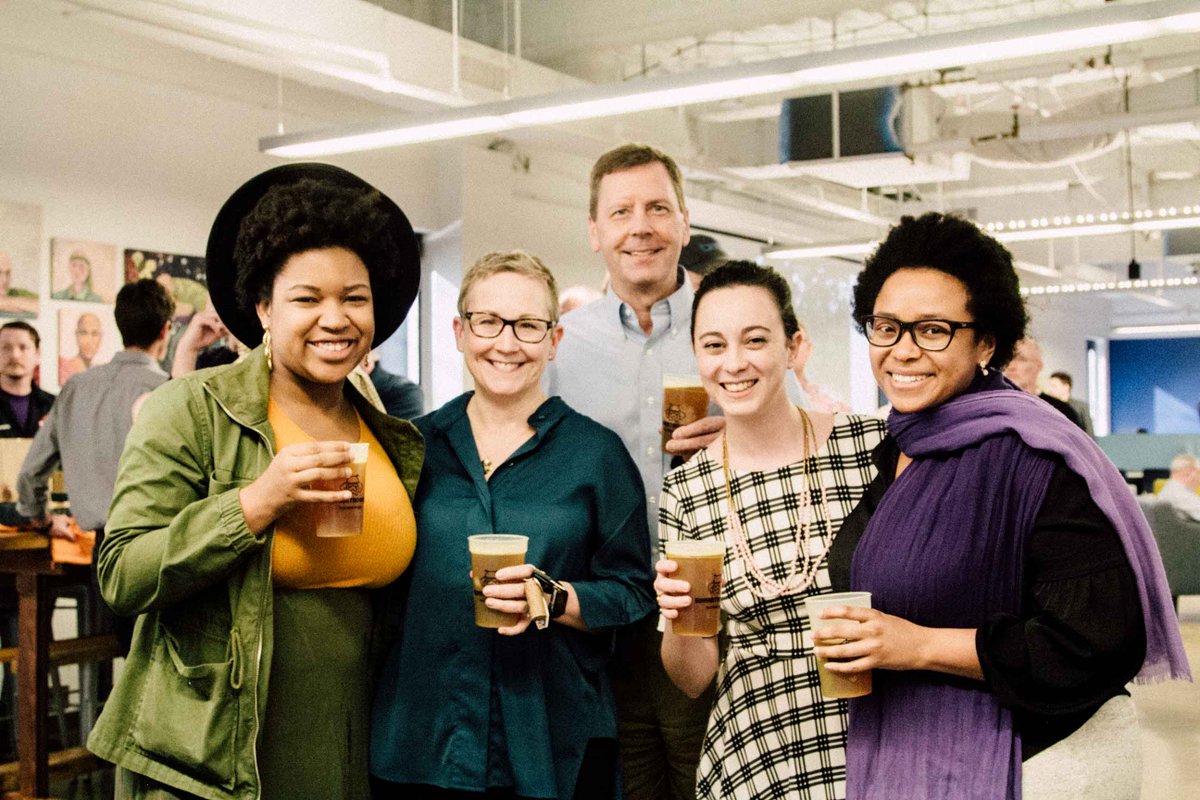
(289, 479)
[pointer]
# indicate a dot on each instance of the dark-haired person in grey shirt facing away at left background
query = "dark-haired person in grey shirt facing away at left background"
(86, 430)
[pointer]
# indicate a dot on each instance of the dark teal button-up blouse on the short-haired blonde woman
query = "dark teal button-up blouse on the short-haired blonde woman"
(455, 697)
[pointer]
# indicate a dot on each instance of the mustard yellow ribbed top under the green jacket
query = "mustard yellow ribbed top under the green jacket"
(375, 558)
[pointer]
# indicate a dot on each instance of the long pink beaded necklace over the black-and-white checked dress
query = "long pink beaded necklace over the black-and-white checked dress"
(803, 570)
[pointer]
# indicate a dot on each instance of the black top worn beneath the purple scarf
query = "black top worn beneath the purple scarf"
(1081, 636)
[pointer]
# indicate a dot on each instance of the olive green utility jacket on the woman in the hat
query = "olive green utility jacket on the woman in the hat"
(189, 707)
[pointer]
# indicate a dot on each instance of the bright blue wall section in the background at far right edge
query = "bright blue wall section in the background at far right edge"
(1156, 386)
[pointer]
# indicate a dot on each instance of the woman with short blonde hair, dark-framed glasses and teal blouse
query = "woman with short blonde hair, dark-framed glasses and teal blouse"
(523, 711)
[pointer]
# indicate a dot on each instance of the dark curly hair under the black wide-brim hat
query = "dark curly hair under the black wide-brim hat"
(311, 215)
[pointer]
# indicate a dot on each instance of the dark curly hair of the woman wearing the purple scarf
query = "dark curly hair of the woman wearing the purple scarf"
(959, 249)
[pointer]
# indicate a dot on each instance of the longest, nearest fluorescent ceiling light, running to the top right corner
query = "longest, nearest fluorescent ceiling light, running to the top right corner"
(1111, 25)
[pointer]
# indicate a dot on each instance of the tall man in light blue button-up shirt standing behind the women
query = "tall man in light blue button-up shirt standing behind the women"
(610, 368)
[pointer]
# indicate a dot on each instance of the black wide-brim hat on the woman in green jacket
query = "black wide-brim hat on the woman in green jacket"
(392, 299)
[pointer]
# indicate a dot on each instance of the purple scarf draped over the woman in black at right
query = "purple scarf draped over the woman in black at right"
(944, 550)
